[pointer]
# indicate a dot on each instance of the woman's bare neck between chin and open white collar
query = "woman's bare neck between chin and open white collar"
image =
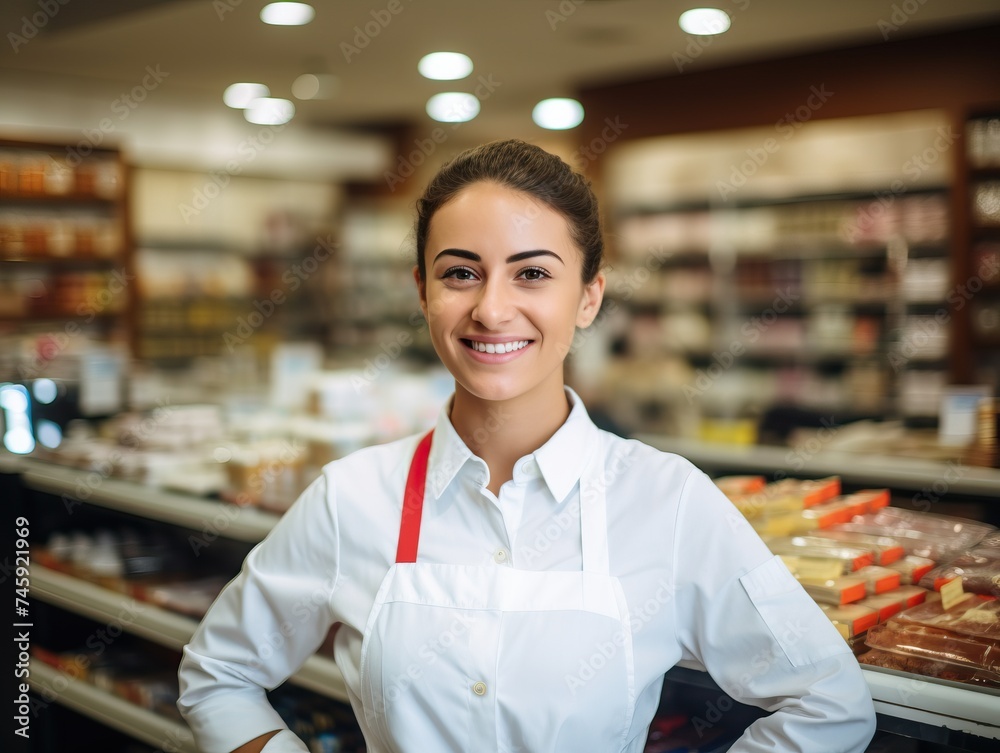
(502, 431)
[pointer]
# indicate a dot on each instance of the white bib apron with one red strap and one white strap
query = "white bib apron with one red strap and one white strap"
(462, 658)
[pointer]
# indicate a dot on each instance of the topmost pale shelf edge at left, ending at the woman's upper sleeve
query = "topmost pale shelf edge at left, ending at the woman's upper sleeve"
(238, 523)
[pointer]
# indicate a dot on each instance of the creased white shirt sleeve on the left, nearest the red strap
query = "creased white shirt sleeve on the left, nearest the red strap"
(261, 629)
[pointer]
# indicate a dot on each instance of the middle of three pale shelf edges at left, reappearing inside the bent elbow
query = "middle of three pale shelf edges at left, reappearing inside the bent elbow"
(319, 674)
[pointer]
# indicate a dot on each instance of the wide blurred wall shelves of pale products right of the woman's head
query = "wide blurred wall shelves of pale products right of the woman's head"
(797, 302)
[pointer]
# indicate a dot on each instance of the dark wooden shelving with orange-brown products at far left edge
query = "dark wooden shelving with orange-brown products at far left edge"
(65, 240)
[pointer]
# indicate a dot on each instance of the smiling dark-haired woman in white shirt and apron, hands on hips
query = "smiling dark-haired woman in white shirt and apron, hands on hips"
(517, 580)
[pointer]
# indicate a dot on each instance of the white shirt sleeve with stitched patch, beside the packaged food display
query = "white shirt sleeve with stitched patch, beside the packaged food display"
(744, 617)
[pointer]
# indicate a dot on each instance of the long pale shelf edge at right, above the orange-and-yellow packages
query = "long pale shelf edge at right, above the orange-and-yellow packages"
(853, 468)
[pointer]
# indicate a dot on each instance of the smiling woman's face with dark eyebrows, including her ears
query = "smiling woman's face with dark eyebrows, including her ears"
(503, 293)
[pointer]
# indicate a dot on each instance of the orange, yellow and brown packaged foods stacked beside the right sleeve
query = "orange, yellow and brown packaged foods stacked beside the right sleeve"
(879, 574)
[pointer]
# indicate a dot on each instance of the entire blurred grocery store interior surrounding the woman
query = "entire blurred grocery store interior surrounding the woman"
(206, 294)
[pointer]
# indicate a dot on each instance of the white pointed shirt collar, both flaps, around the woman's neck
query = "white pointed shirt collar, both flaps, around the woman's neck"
(561, 460)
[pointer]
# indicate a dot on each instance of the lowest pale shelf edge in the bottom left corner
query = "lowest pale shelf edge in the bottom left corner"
(110, 710)
